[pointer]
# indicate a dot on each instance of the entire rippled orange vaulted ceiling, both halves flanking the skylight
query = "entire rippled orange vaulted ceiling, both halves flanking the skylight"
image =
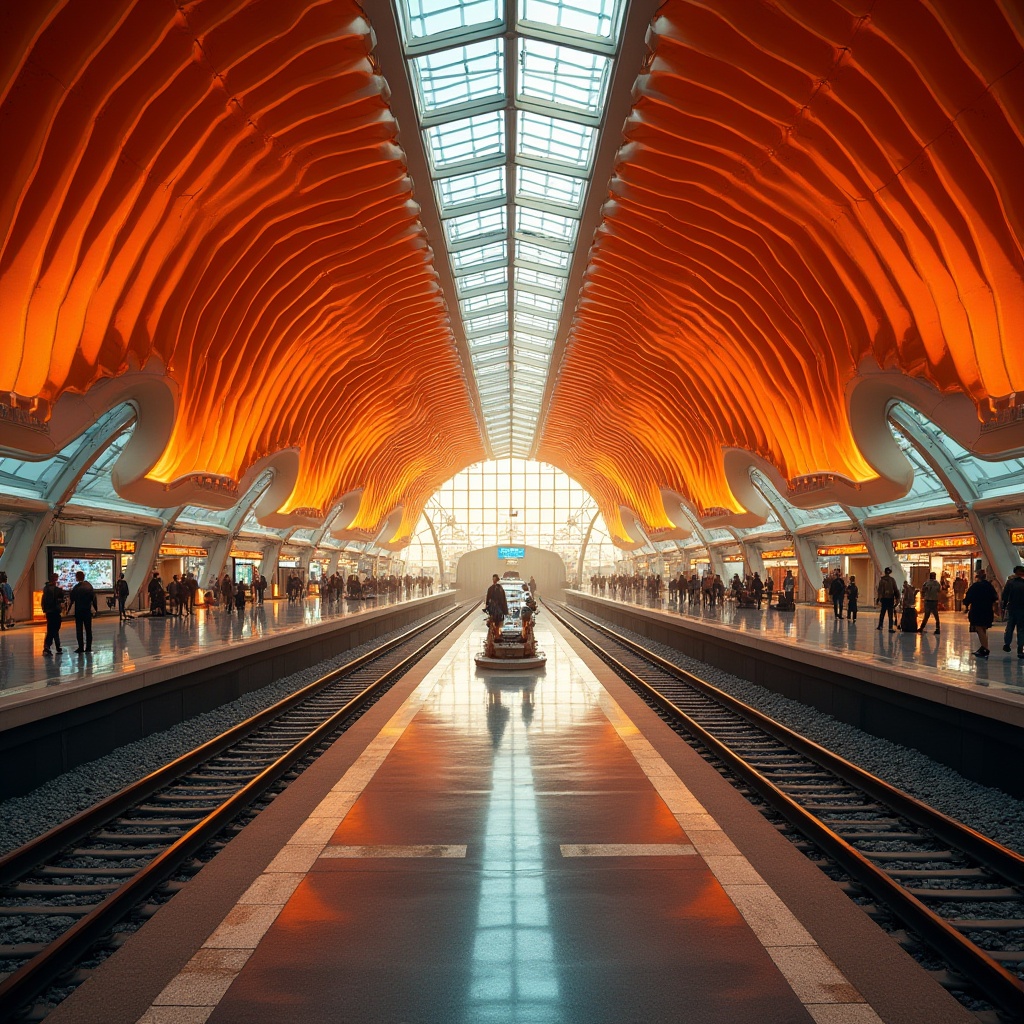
(204, 210)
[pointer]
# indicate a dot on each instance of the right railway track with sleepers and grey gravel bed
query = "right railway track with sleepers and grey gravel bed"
(957, 892)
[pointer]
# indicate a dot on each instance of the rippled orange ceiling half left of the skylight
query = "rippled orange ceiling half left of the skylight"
(217, 187)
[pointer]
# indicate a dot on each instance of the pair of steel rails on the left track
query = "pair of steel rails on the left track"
(36, 975)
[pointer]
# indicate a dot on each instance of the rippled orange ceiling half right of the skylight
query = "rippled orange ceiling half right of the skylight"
(807, 191)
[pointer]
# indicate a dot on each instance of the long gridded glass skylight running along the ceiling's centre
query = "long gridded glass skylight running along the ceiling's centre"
(554, 96)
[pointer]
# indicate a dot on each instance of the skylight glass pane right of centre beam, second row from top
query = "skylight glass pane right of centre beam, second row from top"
(563, 76)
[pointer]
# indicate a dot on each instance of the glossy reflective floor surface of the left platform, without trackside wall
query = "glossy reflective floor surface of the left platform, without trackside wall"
(142, 643)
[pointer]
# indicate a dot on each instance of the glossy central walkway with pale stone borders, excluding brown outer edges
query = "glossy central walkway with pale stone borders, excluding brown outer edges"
(509, 849)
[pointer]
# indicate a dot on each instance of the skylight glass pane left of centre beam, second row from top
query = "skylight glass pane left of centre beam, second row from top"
(460, 77)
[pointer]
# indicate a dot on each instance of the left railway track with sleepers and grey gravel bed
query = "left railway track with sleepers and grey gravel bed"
(63, 894)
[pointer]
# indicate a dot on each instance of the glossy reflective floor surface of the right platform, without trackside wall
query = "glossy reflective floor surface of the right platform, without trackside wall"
(947, 658)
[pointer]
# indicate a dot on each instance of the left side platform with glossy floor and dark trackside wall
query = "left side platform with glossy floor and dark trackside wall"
(148, 674)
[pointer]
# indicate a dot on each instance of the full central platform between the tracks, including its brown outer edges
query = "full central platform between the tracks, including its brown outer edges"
(510, 848)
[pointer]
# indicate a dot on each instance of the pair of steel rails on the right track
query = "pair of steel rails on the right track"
(999, 985)
